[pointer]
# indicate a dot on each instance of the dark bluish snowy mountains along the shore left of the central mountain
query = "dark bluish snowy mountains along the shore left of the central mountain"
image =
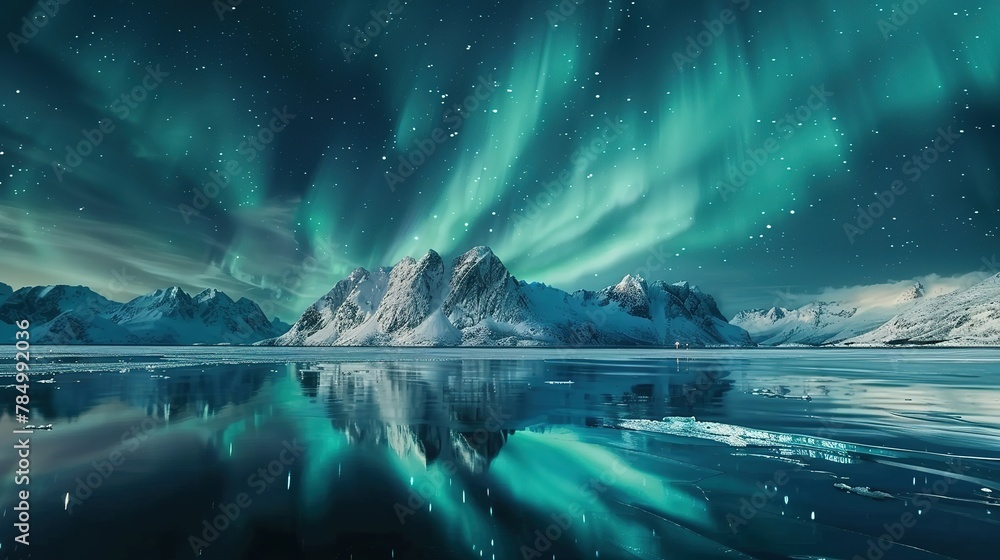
(78, 315)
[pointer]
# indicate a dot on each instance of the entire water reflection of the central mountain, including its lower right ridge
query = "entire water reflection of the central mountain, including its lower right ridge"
(462, 412)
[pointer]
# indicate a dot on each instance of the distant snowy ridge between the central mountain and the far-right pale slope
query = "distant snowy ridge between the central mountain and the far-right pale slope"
(822, 322)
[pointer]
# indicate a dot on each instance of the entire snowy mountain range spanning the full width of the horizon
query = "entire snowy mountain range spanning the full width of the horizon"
(475, 301)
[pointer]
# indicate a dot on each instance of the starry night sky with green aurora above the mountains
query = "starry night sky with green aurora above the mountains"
(267, 148)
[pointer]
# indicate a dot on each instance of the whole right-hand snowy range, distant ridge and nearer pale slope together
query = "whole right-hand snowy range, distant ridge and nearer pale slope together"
(967, 317)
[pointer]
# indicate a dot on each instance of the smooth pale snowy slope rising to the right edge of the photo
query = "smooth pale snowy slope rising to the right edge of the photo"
(969, 317)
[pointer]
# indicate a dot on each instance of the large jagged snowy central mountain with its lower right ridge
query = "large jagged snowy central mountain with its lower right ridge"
(477, 302)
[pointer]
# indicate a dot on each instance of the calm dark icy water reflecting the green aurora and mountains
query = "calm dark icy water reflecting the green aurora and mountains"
(361, 453)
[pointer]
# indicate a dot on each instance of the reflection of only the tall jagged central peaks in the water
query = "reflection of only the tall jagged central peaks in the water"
(457, 412)
